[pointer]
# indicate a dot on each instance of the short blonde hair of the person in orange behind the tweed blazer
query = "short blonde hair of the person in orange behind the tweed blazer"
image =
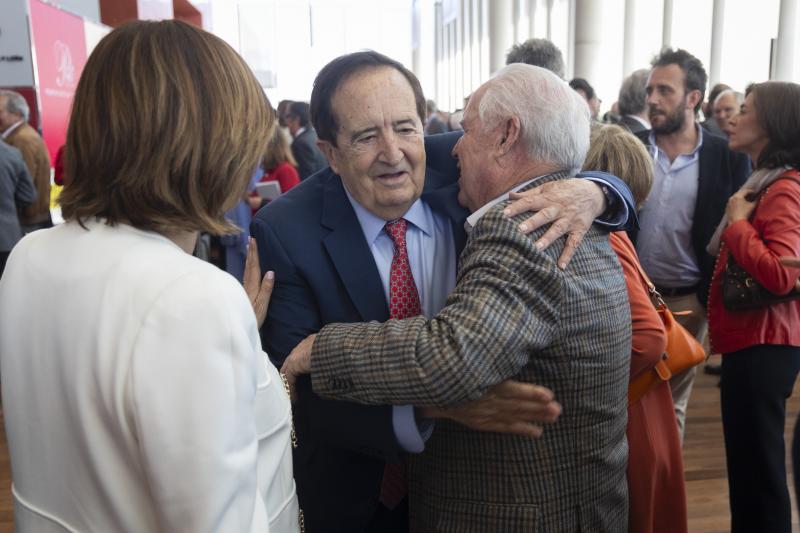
(615, 150)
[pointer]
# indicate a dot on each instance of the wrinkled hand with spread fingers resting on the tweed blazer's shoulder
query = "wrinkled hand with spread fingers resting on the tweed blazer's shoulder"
(571, 205)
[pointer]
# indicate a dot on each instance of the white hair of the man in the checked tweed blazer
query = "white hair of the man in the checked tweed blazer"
(554, 118)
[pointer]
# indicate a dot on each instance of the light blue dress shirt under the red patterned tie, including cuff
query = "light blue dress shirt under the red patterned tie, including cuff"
(432, 256)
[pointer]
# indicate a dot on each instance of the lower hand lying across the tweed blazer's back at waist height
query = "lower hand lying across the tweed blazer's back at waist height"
(508, 407)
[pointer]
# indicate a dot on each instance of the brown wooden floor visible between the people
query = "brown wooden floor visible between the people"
(706, 483)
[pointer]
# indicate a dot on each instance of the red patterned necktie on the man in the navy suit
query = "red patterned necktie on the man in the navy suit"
(403, 303)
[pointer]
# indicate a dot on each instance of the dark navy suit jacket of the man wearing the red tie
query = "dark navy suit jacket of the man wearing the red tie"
(324, 272)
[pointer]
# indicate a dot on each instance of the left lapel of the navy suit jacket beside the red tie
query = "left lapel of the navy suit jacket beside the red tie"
(350, 253)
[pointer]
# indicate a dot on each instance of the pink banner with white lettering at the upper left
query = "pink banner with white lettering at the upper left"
(59, 48)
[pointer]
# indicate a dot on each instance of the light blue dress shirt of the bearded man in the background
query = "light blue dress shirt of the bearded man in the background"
(664, 243)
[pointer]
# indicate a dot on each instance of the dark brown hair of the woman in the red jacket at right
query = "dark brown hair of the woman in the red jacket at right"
(777, 108)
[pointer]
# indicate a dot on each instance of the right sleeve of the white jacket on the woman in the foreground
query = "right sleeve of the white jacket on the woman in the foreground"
(191, 394)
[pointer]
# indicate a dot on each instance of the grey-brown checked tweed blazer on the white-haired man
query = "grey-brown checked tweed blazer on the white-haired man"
(513, 313)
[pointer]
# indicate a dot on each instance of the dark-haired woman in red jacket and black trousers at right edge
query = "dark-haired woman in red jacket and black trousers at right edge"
(760, 347)
